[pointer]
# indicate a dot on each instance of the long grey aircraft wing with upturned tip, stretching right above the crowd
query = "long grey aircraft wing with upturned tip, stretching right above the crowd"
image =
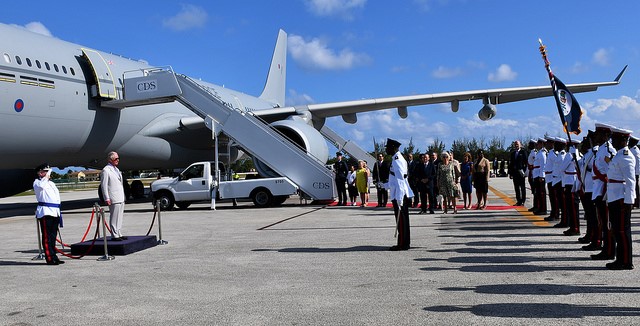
(494, 96)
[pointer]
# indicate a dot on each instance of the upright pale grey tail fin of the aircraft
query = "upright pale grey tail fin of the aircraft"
(274, 89)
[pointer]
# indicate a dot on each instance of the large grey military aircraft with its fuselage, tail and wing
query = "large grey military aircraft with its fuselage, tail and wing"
(54, 107)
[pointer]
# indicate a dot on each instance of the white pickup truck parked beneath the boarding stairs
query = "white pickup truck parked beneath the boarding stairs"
(196, 182)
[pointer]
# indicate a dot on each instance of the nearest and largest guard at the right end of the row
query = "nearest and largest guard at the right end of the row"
(621, 194)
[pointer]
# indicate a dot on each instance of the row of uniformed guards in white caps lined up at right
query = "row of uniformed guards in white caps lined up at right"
(601, 172)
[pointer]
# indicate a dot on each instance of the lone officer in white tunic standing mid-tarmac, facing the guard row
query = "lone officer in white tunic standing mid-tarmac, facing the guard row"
(400, 194)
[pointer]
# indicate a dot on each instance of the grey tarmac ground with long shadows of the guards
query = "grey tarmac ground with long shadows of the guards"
(314, 265)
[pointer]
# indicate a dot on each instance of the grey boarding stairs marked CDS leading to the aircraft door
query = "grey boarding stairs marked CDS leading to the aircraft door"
(244, 128)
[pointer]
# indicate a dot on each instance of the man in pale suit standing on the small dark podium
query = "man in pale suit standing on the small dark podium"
(113, 191)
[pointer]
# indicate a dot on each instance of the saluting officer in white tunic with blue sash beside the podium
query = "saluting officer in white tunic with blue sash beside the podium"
(48, 212)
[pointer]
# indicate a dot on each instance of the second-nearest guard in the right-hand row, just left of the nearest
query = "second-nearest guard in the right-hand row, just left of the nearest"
(600, 167)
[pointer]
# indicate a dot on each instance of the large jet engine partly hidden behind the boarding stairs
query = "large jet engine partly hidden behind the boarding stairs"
(302, 134)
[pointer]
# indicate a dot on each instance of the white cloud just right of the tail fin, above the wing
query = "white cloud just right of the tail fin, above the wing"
(315, 54)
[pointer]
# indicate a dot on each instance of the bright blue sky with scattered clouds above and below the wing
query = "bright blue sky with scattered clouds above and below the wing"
(355, 49)
